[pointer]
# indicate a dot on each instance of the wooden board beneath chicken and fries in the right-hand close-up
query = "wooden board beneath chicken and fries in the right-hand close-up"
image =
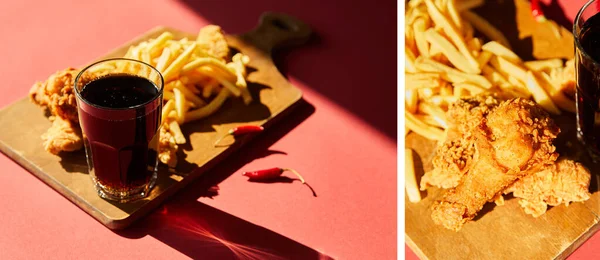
(506, 232)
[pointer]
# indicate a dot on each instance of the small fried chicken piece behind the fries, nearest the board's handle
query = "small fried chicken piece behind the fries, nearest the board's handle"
(212, 40)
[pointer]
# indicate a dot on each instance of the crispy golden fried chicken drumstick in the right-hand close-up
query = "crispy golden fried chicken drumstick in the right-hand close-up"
(513, 141)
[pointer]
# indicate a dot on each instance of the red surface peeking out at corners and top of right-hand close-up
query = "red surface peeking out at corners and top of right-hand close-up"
(563, 11)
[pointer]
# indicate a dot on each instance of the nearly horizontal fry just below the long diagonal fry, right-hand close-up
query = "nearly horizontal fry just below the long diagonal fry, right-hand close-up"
(450, 74)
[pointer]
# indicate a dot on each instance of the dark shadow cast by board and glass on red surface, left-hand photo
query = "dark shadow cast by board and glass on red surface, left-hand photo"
(200, 231)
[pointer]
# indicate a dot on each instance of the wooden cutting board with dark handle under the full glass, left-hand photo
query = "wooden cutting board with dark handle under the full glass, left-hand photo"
(24, 123)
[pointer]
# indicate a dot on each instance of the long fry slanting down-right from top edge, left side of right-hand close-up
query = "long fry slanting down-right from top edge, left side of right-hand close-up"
(451, 32)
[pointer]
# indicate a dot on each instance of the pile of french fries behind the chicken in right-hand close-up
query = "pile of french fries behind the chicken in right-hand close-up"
(445, 62)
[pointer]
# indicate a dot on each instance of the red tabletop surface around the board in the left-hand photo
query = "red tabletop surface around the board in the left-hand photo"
(343, 141)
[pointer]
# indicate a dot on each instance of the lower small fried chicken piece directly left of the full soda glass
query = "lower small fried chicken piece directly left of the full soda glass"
(62, 136)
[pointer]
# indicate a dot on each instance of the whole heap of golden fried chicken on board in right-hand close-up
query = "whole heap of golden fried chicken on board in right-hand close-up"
(496, 147)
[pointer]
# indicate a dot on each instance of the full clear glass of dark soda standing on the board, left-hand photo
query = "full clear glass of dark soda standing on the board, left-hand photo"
(119, 104)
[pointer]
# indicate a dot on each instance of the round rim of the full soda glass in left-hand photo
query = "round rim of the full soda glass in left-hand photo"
(160, 89)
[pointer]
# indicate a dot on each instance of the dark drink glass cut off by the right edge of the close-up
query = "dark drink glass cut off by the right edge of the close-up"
(586, 31)
